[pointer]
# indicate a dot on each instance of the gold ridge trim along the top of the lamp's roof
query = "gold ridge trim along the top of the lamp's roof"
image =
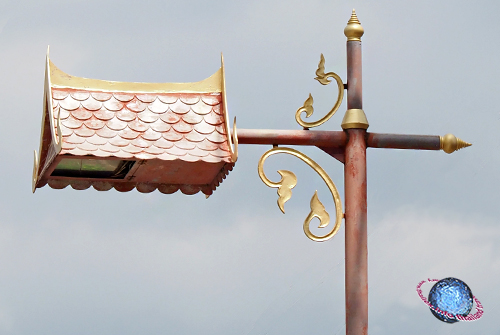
(60, 79)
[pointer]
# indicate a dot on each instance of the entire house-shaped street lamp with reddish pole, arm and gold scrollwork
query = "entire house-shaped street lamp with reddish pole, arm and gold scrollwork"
(176, 136)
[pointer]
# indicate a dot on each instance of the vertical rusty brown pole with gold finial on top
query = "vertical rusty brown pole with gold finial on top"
(356, 252)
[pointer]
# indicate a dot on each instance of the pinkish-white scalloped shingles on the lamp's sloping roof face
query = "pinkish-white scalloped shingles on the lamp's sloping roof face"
(165, 126)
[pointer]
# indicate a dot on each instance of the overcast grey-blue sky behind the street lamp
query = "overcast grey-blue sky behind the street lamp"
(89, 262)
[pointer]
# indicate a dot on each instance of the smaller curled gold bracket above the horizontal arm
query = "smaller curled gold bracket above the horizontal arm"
(322, 77)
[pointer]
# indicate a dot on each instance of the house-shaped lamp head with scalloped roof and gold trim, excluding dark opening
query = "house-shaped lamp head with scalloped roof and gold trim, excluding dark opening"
(177, 132)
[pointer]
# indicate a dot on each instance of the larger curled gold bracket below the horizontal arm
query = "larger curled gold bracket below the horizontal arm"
(289, 180)
